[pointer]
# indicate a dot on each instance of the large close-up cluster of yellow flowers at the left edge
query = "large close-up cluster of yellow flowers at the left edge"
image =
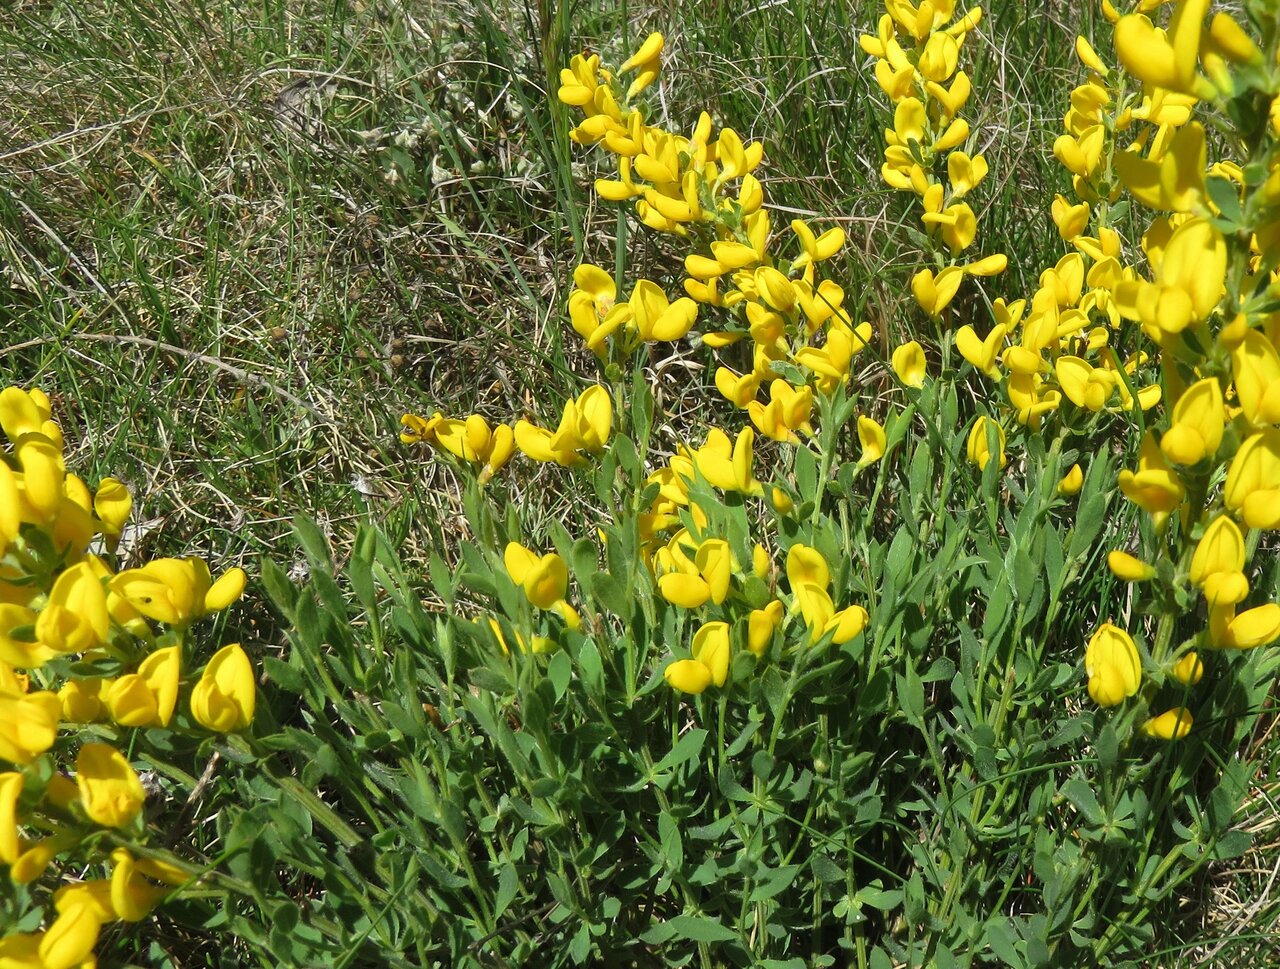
(80, 645)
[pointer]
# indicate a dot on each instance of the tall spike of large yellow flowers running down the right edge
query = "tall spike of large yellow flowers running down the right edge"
(1209, 474)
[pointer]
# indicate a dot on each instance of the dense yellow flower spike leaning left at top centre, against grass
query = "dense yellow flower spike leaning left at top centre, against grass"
(703, 189)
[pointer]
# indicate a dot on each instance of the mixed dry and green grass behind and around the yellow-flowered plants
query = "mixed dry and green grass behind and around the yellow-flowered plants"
(239, 241)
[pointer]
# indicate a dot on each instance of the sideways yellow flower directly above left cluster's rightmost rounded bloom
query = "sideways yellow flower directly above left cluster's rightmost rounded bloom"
(179, 591)
